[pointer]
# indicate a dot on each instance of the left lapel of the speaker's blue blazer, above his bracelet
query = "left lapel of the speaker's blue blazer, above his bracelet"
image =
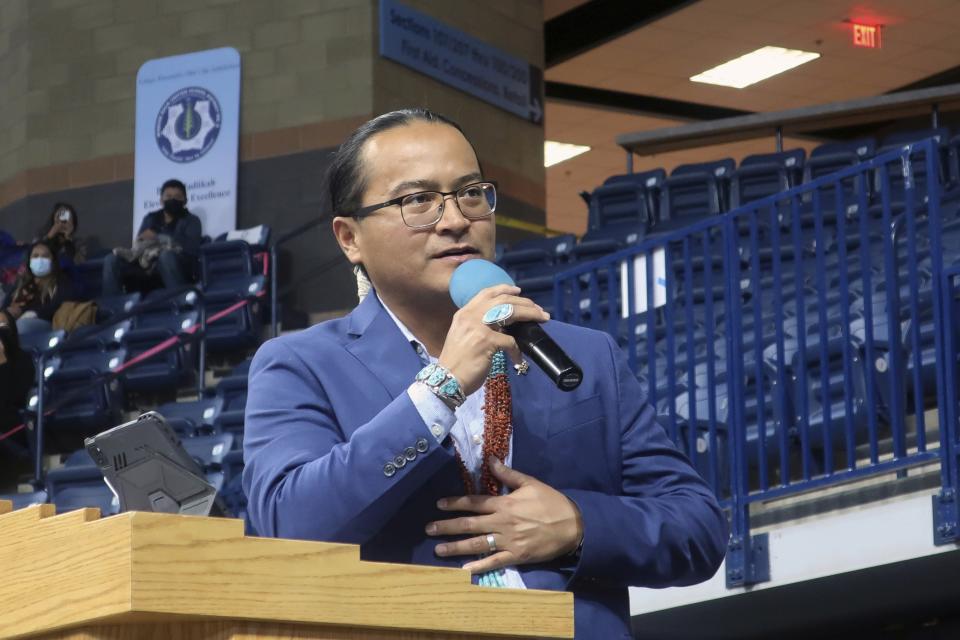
(381, 347)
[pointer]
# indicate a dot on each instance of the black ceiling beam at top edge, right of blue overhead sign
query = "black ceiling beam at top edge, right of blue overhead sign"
(598, 21)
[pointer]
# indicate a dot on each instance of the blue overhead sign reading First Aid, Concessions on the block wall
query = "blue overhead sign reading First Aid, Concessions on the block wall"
(455, 58)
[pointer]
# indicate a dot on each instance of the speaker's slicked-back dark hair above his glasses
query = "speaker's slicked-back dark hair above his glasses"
(345, 179)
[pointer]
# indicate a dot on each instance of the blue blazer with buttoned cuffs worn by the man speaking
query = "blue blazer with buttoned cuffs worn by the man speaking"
(327, 409)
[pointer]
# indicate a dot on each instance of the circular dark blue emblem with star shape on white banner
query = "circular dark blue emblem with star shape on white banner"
(188, 124)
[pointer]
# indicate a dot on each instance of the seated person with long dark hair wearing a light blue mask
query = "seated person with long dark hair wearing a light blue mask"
(40, 290)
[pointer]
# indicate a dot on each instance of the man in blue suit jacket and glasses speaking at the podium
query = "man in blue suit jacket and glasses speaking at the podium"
(343, 444)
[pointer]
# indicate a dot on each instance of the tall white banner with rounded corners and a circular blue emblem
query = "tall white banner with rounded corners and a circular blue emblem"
(188, 128)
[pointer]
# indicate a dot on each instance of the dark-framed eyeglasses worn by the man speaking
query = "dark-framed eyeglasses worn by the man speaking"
(425, 208)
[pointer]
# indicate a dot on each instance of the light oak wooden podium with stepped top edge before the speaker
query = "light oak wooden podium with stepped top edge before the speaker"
(155, 576)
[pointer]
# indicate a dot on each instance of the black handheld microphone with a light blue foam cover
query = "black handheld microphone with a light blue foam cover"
(475, 275)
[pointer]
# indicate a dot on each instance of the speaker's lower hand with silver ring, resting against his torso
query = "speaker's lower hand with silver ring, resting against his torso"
(533, 523)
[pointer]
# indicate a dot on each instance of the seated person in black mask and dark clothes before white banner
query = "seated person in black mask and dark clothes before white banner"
(168, 242)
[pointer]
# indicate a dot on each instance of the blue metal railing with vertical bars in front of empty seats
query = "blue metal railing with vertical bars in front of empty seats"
(796, 342)
